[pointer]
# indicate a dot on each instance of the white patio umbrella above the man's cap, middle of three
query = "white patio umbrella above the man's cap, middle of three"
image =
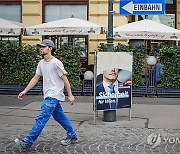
(68, 26)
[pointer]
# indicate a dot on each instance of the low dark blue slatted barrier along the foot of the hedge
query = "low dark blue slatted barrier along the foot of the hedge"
(86, 89)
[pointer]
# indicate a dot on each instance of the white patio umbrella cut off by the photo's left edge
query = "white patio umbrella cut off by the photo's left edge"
(10, 28)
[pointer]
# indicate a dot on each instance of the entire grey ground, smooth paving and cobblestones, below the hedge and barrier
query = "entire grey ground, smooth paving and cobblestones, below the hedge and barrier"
(154, 126)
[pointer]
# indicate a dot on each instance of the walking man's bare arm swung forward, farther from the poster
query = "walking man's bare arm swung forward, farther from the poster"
(31, 84)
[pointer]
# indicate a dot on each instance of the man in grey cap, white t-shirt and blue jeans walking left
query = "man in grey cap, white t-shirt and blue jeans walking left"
(54, 80)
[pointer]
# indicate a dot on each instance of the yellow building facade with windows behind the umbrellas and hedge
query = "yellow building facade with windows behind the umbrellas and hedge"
(32, 12)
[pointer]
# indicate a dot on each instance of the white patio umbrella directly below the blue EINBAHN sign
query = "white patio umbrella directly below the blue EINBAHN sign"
(148, 30)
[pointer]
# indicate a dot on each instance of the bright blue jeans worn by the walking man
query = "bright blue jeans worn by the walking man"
(50, 106)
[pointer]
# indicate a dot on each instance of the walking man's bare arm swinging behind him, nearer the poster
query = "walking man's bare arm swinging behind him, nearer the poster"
(68, 89)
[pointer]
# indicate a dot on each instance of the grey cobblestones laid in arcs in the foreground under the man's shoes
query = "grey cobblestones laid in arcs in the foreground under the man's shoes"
(95, 139)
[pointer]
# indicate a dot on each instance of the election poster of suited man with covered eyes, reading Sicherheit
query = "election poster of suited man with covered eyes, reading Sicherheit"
(113, 89)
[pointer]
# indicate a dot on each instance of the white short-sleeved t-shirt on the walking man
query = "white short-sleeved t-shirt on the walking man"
(53, 85)
